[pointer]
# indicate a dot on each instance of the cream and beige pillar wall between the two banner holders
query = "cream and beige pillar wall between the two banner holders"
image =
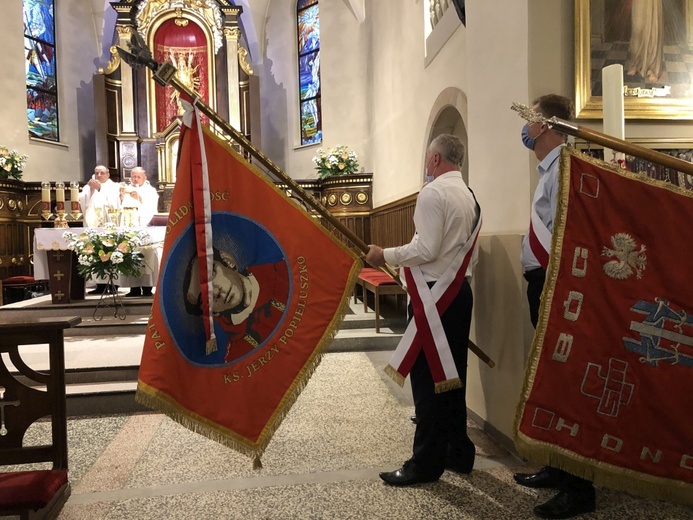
(498, 55)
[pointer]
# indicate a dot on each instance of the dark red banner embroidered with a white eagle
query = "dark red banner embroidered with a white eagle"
(609, 389)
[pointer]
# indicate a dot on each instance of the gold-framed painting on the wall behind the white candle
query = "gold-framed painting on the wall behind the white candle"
(652, 39)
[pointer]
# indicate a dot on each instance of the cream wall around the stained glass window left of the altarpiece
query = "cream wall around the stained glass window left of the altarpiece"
(78, 47)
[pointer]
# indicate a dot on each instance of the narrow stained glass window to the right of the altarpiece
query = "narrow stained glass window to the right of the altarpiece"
(309, 70)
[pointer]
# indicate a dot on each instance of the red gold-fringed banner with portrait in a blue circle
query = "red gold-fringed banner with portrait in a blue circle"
(280, 285)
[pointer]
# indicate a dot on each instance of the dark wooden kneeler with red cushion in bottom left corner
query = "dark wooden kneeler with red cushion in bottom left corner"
(33, 493)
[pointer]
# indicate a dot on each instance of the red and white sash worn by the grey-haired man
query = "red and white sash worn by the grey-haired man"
(425, 330)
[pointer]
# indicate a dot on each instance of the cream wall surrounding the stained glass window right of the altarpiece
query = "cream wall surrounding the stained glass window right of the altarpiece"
(342, 67)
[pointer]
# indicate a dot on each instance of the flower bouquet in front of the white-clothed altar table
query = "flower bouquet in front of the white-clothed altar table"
(109, 251)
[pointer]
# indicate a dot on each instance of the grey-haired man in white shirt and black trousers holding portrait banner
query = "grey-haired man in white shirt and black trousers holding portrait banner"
(445, 217)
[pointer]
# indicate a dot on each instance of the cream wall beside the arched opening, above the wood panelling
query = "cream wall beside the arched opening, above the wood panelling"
(403, 93)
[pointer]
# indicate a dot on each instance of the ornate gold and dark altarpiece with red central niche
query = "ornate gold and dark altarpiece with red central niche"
(136, 132)
